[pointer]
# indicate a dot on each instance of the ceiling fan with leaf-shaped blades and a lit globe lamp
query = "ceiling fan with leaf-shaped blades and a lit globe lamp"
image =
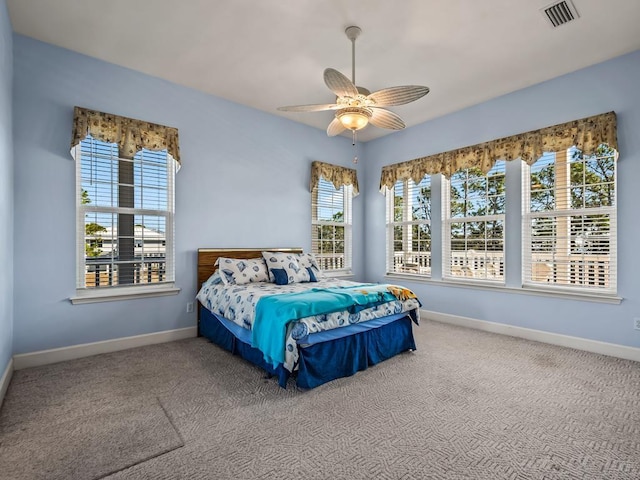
(356, 107)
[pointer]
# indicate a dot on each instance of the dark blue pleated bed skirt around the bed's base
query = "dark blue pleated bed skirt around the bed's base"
(323, 361)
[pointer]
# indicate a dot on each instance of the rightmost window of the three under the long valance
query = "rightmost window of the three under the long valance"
(569, 221)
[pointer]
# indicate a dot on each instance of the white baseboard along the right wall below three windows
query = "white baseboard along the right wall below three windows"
(594, 346)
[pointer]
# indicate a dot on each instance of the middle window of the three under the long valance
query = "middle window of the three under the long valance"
(474, 216)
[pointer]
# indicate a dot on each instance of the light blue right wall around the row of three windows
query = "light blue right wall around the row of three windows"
(612, 85)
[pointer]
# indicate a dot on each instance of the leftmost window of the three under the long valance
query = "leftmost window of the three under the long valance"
(409, 227)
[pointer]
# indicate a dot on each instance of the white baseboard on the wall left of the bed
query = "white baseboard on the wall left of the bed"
(45, 357)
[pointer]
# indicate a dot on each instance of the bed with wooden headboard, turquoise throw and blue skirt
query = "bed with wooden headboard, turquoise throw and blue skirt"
(315, 348)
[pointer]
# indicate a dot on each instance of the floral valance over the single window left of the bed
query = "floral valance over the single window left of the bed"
(131, 135)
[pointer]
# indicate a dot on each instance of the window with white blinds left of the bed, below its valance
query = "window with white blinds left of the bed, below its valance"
(125, 211)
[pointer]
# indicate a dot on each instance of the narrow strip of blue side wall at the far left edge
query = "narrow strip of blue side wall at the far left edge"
(6, 189)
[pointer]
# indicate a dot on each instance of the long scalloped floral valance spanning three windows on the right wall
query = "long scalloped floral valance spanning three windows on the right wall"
(586, 134)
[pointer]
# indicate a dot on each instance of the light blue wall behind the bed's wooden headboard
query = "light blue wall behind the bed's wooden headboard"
(244, 183)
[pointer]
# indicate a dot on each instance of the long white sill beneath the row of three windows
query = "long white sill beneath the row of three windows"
(525, 290)
